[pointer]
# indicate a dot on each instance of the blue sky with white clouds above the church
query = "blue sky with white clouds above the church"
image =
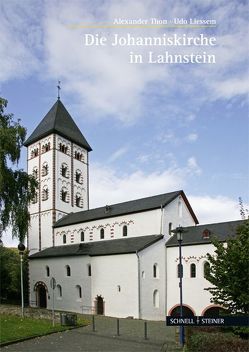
(153, 127)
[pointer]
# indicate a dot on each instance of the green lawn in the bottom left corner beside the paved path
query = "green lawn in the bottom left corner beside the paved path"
(14, 327)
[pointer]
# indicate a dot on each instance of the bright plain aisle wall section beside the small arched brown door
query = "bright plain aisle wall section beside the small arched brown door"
(115, 279)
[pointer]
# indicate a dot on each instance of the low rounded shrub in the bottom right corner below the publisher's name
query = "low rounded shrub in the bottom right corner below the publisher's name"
(206, 342)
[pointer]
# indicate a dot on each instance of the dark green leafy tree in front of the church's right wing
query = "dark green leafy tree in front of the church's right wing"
(229, 272)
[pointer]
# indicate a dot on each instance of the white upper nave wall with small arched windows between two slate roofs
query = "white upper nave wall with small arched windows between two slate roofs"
(138, 224)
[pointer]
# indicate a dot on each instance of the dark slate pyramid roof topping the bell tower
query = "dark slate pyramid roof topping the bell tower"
(58, 120)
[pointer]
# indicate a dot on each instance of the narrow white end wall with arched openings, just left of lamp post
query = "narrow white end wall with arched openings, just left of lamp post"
(152, 279)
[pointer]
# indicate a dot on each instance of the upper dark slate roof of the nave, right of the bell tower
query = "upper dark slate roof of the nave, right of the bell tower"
(133, 206)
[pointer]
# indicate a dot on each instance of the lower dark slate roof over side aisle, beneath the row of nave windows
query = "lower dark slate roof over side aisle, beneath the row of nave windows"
(109, 247)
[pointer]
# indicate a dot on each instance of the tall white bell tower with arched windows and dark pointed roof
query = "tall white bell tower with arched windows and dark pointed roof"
(57, 155)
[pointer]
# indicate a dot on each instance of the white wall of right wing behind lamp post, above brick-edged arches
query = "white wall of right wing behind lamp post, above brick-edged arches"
(194, 294)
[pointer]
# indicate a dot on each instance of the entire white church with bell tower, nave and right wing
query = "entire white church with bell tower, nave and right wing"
(120, 259)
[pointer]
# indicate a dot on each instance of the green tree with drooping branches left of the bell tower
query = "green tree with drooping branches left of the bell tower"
(17, 188)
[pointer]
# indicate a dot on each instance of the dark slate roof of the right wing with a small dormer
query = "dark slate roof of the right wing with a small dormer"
(194, 234)
